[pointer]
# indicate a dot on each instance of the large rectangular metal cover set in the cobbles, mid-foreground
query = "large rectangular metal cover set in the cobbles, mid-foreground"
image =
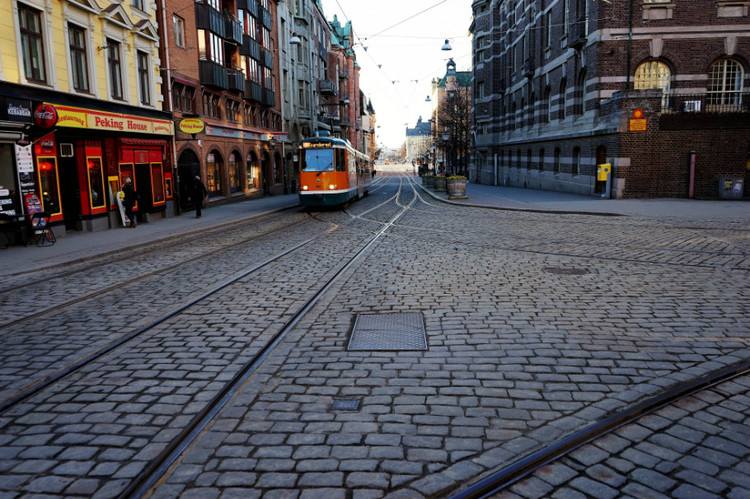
(388, 332)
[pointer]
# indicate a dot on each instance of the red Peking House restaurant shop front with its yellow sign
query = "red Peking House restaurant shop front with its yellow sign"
(82, 157)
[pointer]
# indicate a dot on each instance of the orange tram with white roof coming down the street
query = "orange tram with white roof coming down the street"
(332, 172)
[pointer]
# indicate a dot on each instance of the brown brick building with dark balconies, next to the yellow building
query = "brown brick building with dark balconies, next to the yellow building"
(220, 68)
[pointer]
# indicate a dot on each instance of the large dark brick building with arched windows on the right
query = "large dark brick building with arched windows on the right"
(657, 89)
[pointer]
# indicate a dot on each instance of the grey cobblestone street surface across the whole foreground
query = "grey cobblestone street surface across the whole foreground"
(537, 325)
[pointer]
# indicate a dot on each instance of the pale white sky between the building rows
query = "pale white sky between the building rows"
(398, 46)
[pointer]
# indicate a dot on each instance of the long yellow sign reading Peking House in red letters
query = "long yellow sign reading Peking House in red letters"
(76, 117)
